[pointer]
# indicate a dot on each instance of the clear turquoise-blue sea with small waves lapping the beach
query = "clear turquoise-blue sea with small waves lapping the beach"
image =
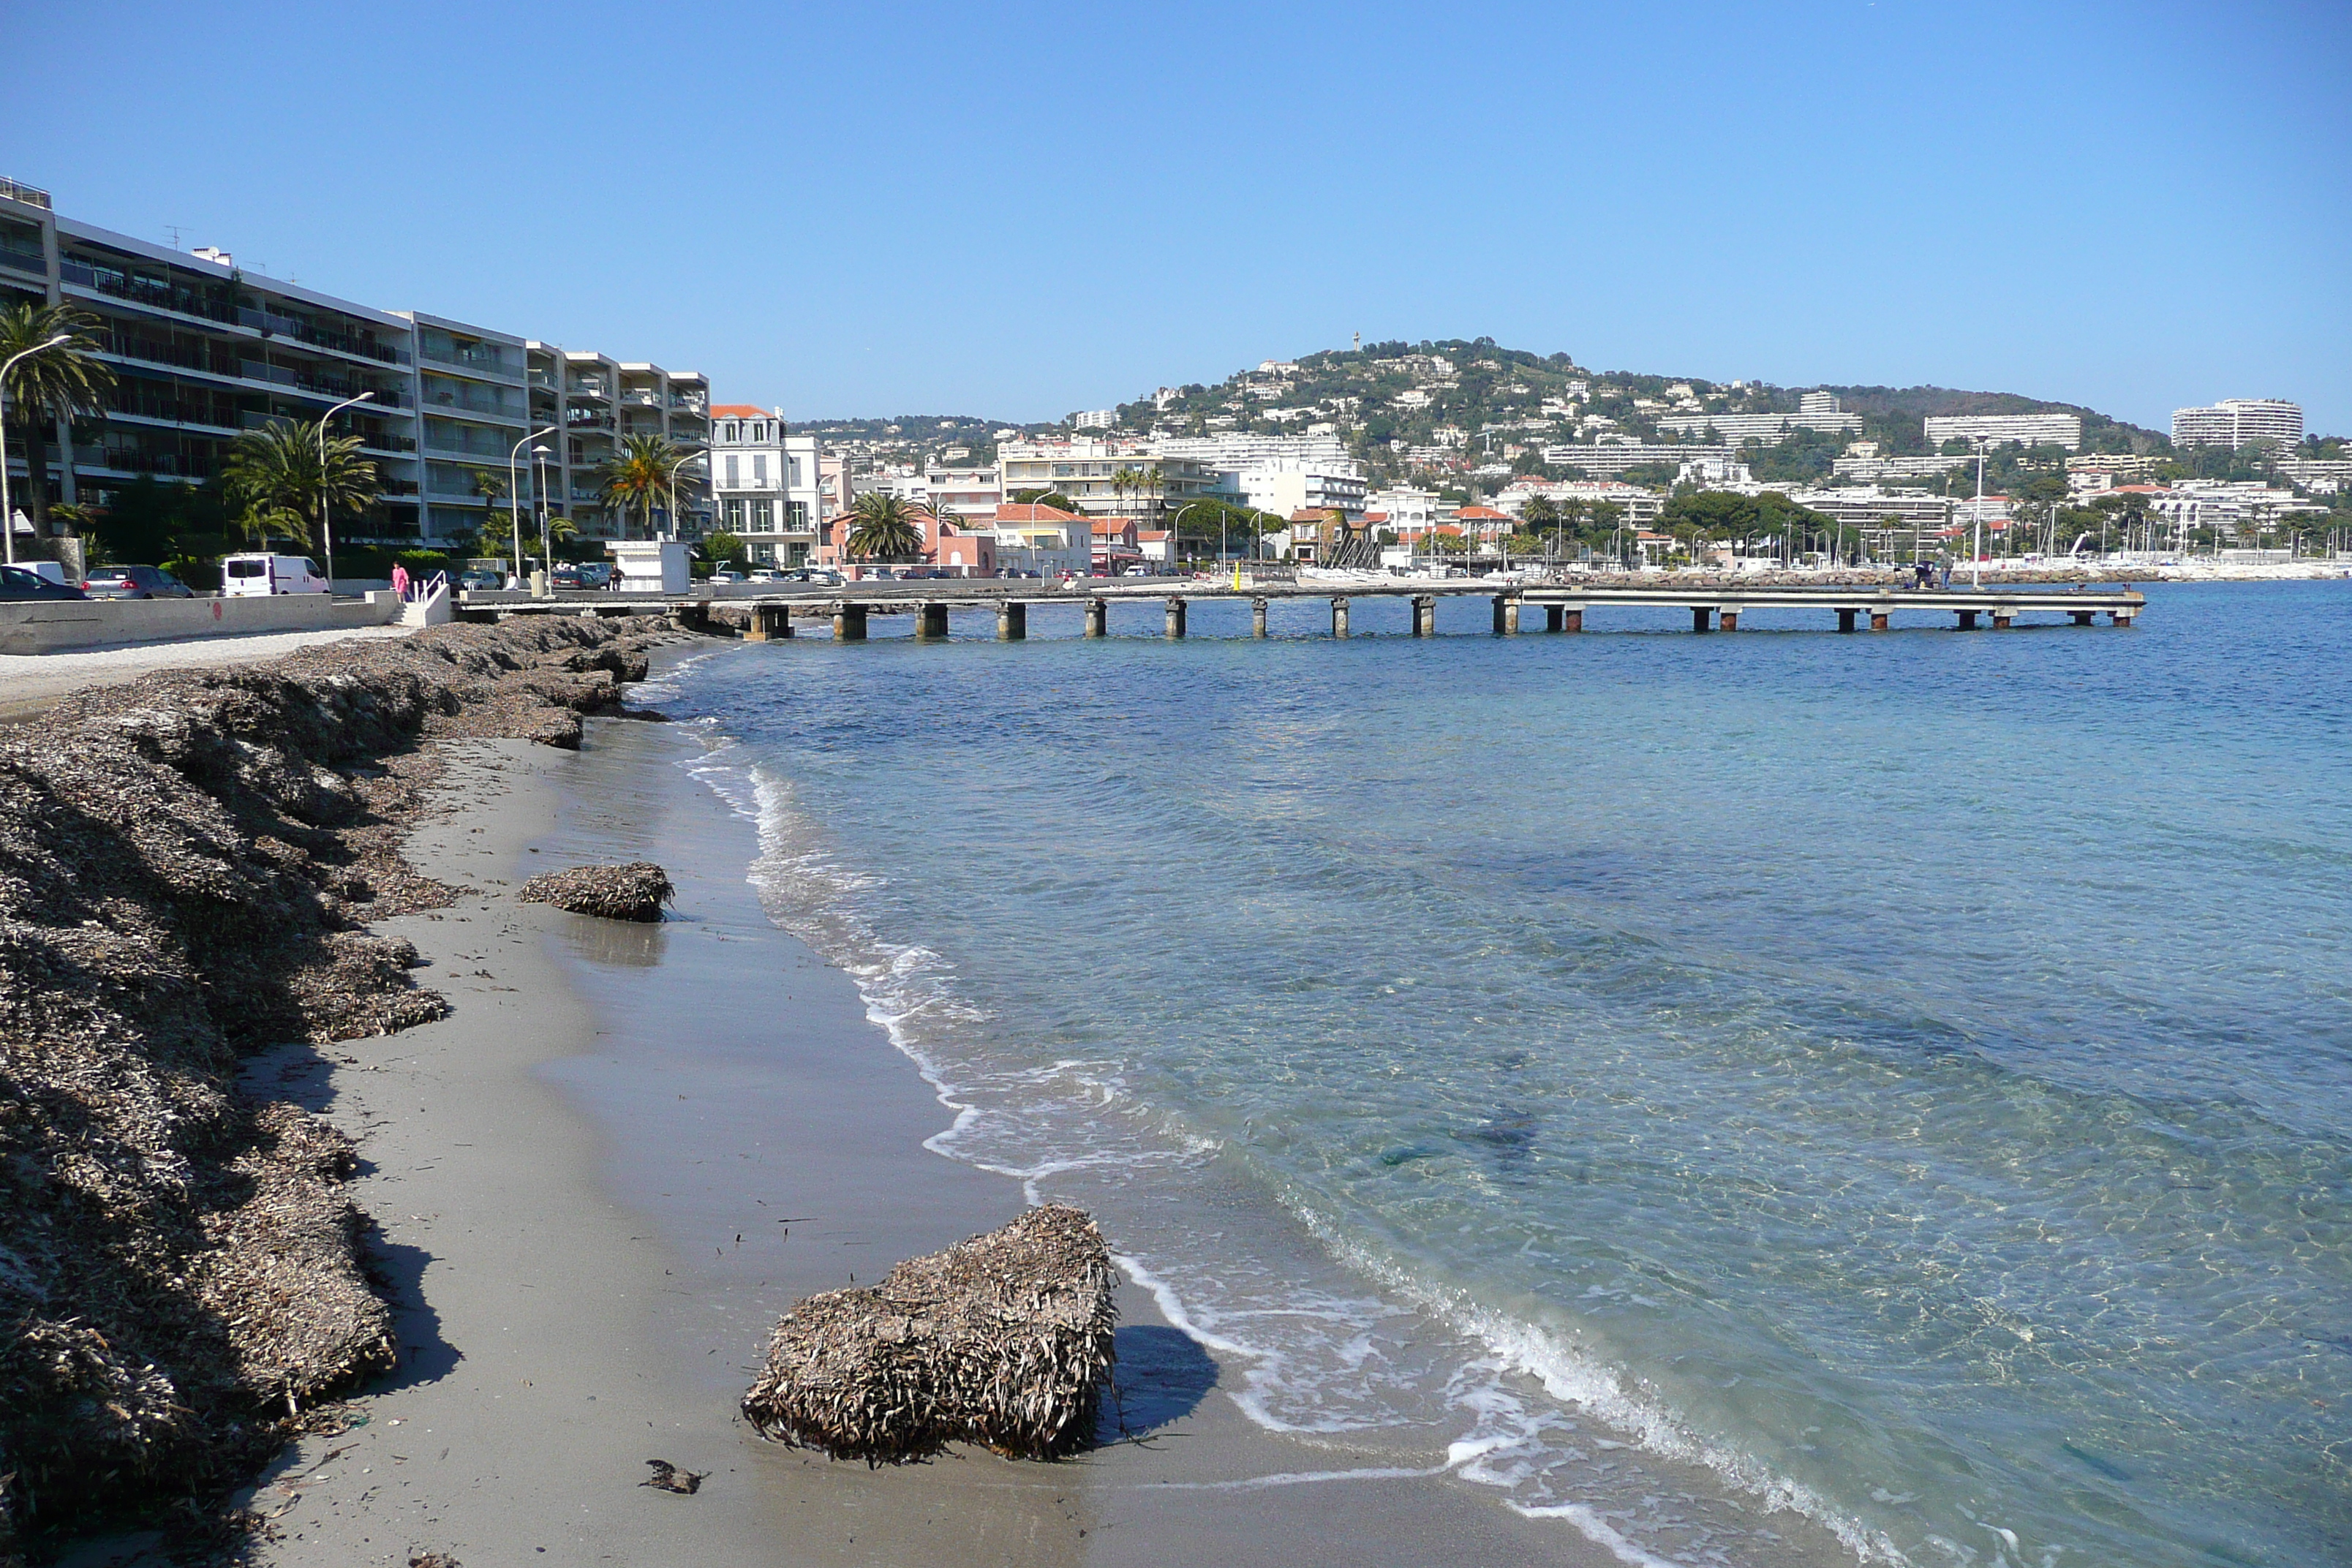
(1906, 1076)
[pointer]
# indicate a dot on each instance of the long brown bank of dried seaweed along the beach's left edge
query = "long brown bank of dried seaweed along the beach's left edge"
(185, 871)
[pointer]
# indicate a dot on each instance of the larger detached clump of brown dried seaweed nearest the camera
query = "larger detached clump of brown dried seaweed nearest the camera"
(1001, 1341)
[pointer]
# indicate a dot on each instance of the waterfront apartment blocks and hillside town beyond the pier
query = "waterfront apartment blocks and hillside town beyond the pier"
(1408, 457)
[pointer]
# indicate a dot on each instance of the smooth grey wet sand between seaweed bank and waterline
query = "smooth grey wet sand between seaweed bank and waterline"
(627, 1153)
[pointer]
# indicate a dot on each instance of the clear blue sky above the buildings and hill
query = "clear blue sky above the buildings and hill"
(1029, 210)
